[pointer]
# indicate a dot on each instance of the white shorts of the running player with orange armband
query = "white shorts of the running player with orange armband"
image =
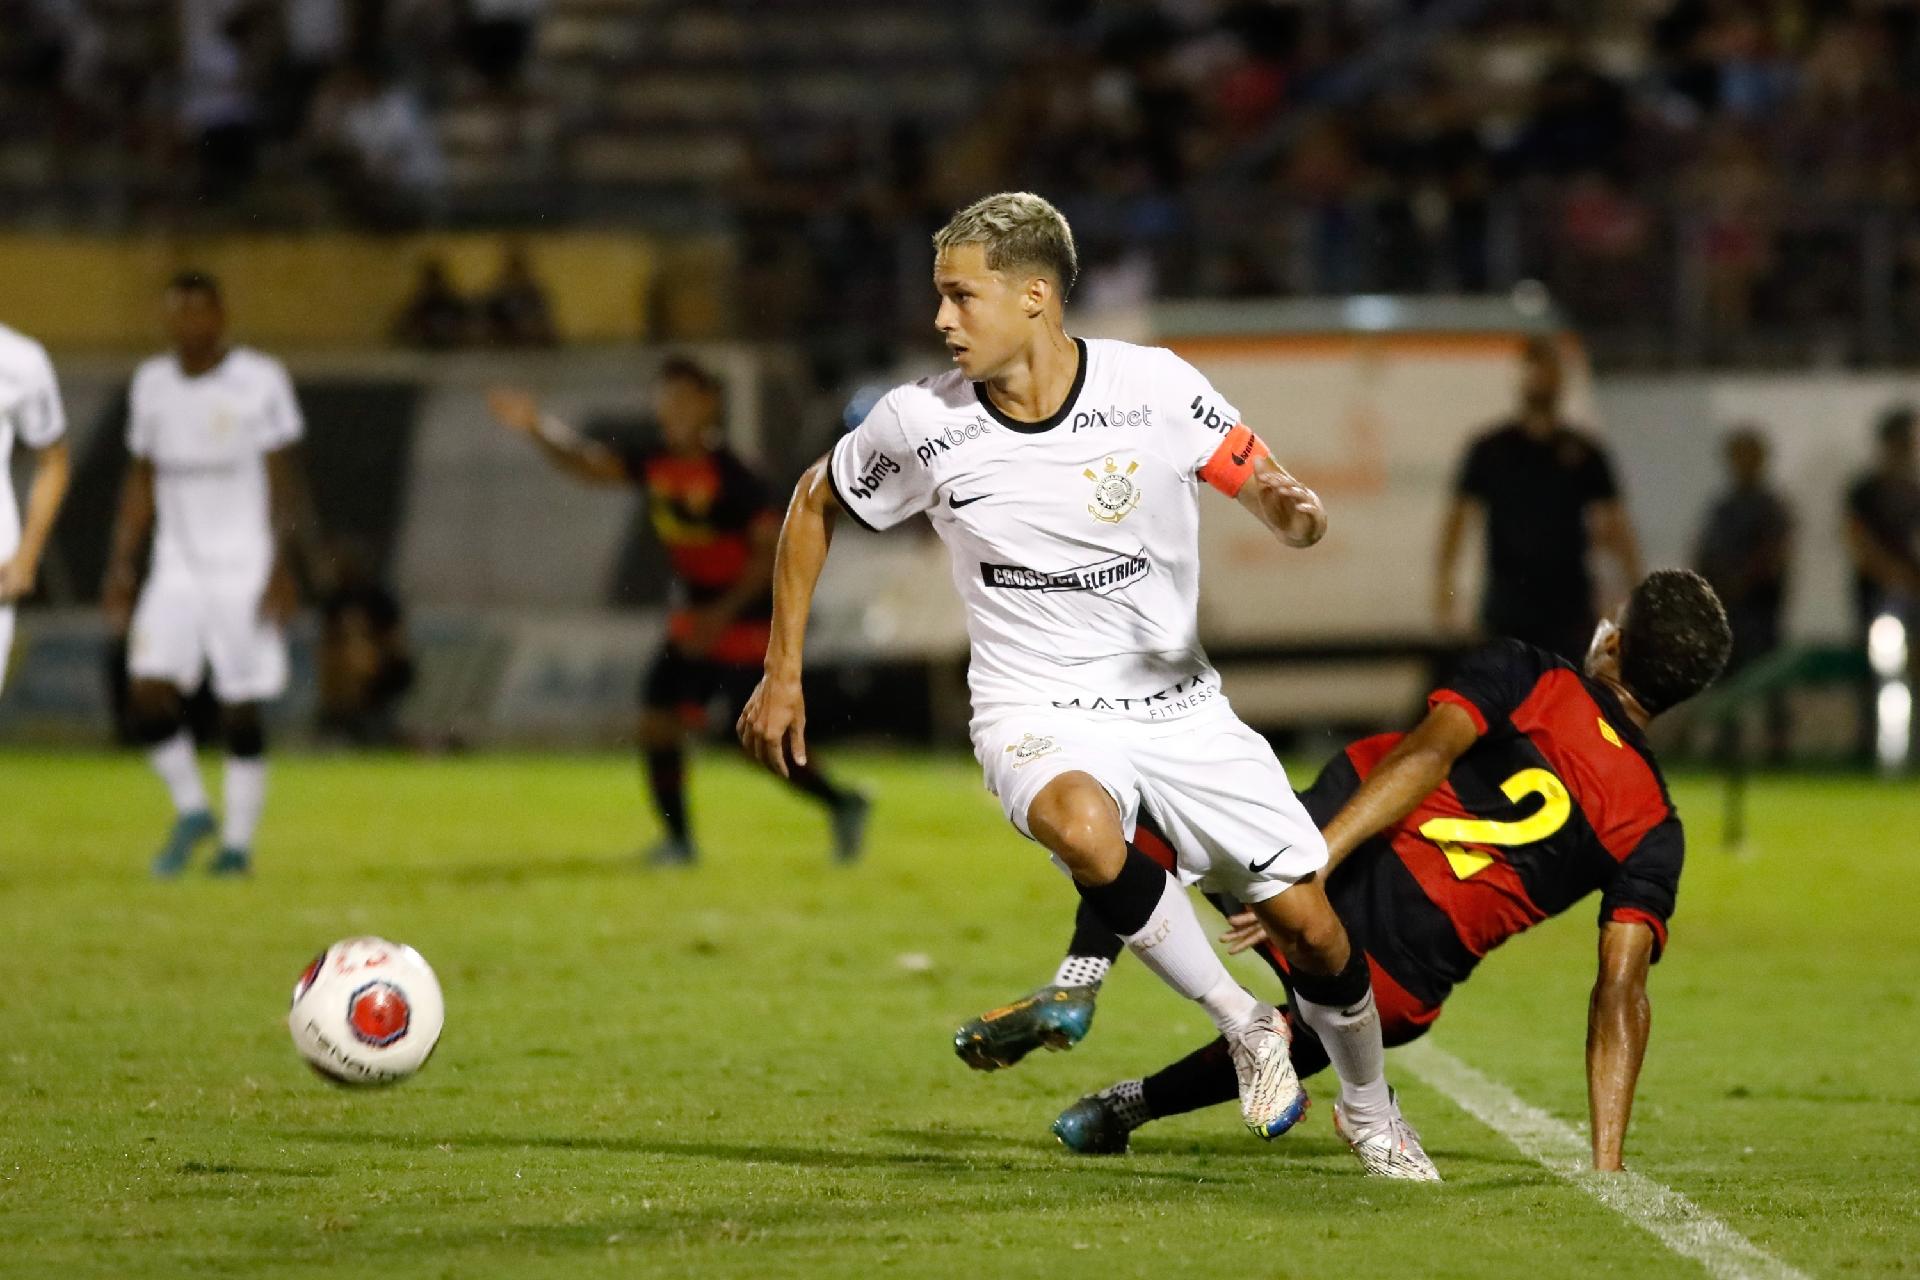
(1211, 784)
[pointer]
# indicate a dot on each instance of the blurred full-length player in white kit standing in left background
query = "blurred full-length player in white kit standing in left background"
(210, 431)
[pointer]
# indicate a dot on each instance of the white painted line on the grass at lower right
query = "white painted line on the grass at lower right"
(1677, 1221)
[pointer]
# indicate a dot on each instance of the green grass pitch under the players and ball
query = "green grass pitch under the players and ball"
(746, 1072)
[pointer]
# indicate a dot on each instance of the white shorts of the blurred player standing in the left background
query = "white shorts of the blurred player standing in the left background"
(181, 628)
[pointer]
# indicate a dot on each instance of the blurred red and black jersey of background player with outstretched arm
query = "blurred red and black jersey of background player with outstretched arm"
(706, 511)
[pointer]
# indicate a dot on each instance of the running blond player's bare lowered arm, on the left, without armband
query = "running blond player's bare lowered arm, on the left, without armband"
(775, 723)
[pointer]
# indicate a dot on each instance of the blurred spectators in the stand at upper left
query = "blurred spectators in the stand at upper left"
(327, 105)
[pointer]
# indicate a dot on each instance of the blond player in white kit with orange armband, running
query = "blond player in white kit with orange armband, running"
(1065, 479)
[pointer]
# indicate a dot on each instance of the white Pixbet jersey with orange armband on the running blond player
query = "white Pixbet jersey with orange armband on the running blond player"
(1074, 542)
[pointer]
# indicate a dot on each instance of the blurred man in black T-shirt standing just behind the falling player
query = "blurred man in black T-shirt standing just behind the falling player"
(1545, 494)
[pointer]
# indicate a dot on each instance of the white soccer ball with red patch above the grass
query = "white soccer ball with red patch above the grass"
(368, 1012)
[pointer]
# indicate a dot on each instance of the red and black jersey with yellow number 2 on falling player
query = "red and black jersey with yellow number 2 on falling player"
(1558, 799)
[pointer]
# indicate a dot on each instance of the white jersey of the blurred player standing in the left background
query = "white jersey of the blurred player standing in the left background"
(208, 440)
